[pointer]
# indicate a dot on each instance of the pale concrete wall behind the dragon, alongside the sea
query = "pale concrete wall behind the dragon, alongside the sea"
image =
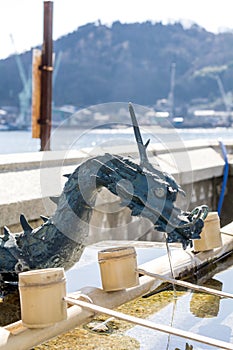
(27, 180)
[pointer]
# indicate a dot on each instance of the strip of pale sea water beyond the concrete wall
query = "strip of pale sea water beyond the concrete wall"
(61, 139)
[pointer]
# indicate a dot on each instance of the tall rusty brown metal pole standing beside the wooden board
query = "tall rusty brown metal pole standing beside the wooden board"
(46, 78)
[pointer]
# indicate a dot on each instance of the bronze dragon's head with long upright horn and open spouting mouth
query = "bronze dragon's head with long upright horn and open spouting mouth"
(162, 190)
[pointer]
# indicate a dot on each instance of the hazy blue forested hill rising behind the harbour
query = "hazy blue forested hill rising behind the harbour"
(131, 62)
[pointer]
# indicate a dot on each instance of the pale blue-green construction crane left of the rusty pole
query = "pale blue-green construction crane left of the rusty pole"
(25, 95)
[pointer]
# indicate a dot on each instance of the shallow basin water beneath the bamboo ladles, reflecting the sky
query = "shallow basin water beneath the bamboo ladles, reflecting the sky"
(192, 311)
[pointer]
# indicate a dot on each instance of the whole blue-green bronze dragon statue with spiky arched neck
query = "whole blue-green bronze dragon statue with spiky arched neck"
(143, 188)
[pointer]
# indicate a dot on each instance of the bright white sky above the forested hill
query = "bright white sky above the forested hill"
(23, 19)
